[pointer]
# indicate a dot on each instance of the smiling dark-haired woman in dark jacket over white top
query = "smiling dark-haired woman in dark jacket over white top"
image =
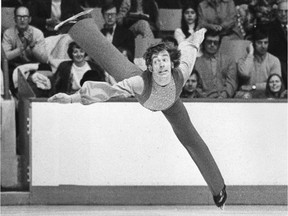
(69, 73)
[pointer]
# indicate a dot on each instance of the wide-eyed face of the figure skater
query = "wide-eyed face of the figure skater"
(161, 68)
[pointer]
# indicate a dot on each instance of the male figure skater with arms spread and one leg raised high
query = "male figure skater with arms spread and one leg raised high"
(157, 89)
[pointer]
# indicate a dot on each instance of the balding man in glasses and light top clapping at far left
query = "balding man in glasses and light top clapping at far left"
(23, 43)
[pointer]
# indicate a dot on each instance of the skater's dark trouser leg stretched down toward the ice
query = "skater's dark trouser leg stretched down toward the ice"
(179, 119)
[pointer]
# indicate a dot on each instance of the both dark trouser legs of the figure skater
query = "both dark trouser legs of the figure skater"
(88, 36)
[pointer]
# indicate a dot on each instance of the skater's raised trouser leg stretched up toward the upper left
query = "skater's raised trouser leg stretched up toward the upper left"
(91, 40)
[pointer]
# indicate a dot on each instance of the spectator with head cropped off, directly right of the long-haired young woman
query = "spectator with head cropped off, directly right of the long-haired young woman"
(220, 16)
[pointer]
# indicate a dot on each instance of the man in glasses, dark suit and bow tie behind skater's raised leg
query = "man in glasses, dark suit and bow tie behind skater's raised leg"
(116, 34)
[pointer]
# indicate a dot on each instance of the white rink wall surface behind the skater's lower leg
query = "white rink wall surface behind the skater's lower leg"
(118, 143)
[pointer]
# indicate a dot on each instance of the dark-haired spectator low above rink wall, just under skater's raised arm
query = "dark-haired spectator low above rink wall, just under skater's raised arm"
(193, 87)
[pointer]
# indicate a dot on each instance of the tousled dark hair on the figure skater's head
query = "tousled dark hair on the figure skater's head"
(173, 52)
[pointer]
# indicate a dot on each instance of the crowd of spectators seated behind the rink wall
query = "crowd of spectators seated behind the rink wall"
(259, 71)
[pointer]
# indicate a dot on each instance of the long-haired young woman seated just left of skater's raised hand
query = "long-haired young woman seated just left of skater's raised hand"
(189, 21)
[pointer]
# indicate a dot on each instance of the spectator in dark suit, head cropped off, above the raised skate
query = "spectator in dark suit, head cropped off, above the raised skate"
(46, 14)
